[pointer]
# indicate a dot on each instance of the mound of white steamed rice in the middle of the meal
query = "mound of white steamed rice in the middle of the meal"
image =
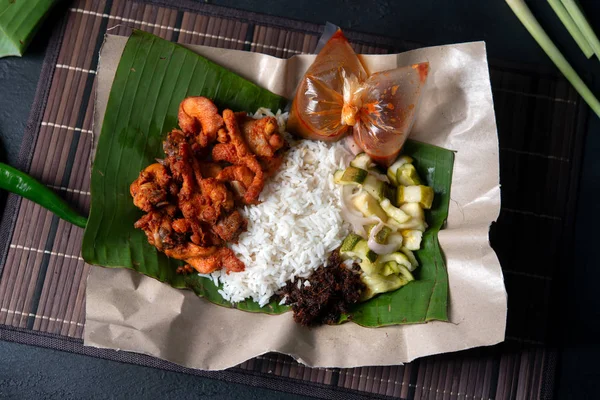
(296, 225)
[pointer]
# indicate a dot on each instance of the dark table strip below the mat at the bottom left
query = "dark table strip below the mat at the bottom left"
(35, 373)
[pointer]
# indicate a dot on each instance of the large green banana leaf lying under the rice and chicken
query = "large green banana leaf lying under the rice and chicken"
(152, 78)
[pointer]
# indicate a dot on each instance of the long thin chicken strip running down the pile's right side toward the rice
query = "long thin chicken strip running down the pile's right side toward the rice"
(236, 152)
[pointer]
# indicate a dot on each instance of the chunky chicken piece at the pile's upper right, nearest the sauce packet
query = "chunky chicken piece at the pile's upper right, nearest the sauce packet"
(261, 135)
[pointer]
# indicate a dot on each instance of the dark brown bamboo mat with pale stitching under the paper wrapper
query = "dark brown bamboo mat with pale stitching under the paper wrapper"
(540, 122)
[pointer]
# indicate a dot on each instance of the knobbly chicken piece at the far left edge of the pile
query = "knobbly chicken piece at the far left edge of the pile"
(150, 189)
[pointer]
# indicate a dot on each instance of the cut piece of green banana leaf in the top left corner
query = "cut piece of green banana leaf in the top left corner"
(19, 20)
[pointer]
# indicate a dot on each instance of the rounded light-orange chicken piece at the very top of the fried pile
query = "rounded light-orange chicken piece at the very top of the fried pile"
(200, 117)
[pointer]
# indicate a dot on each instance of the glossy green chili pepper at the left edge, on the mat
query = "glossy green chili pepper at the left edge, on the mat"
(24, 185)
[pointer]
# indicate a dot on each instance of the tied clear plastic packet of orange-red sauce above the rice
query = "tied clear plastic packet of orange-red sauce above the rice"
(336, 96)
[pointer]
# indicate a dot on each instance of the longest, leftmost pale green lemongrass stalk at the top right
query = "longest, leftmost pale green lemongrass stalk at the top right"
(532, 25)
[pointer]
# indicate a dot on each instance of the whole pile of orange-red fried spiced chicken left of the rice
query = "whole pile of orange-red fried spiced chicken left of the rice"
(212, 163)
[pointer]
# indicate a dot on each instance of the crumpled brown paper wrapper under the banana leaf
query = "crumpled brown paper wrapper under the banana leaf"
(128, 311)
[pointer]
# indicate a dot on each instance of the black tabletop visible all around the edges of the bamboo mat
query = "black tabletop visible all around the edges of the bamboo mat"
(29, 372)
